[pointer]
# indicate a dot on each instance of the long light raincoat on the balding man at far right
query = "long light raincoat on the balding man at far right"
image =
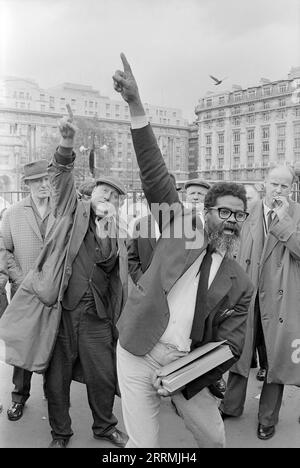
(273, 265)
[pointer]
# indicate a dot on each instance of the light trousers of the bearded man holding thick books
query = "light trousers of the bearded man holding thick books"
(141, 403)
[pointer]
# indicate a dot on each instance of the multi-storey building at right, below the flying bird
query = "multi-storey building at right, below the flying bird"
(243, 132)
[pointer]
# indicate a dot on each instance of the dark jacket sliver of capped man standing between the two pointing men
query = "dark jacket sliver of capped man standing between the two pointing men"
(140, 247)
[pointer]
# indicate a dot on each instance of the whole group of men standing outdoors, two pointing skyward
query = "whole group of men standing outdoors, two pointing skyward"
(222, 266)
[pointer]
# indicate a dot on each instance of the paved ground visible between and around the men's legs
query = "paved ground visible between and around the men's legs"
(33, 431)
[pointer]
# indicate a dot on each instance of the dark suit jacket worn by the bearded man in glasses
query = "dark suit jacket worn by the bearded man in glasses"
(146, 313)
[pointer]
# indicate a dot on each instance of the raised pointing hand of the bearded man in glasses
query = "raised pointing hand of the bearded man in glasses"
(125, 84)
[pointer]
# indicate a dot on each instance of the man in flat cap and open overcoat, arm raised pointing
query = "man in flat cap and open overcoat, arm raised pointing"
(78, 288)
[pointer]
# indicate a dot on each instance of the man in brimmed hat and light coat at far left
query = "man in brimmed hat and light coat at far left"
(26, 226)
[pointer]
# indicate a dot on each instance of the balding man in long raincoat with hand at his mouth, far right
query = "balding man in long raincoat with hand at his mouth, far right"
(270, 254)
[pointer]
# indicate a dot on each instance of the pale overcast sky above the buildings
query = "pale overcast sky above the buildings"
(172, 45)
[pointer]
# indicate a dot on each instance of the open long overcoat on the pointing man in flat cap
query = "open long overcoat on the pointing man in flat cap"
(29, 333)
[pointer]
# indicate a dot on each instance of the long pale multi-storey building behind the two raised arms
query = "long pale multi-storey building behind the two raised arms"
(28, 130)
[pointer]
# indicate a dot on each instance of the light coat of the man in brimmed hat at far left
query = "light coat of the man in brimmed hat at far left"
(22, 239)
